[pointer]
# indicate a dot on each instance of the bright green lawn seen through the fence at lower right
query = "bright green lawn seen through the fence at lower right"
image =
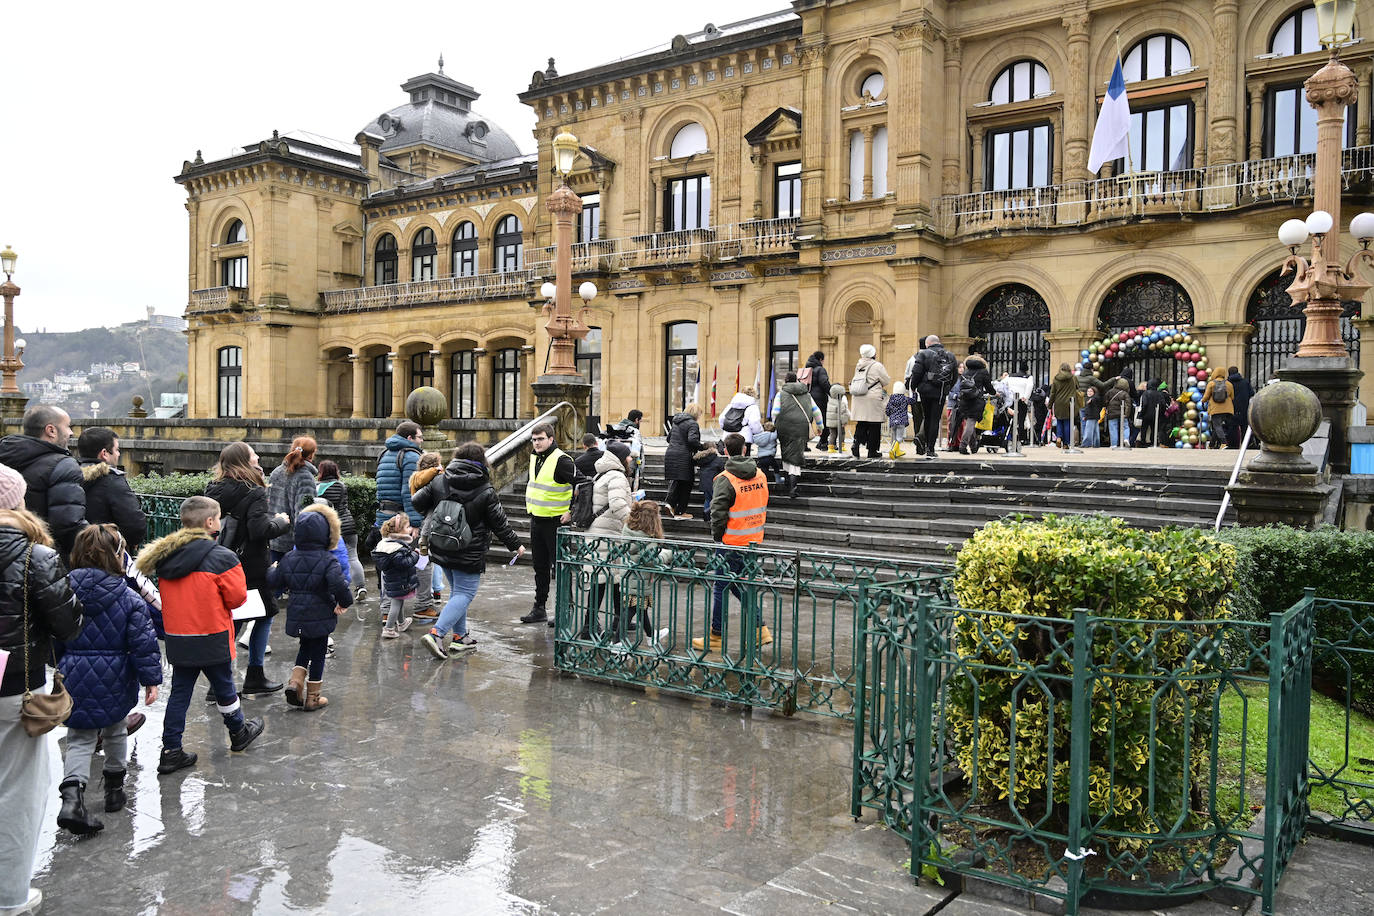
(1342, 748)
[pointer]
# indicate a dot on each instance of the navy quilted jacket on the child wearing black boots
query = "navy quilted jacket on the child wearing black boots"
(115, 654)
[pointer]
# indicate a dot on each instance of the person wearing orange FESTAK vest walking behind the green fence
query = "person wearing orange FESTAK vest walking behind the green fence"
(739, 512)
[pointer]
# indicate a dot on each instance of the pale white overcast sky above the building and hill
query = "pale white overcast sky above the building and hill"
(106, 101)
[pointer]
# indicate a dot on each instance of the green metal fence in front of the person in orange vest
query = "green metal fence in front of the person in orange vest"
(629, 610)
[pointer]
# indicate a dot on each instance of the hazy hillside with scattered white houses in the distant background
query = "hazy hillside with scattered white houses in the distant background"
(161, 354)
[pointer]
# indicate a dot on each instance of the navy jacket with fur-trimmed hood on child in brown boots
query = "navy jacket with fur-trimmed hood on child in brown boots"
(313, 575)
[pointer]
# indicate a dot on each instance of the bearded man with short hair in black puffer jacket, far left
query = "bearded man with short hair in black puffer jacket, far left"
(54, 479)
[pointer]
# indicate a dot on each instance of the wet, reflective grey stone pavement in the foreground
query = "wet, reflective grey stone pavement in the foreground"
(490, 785)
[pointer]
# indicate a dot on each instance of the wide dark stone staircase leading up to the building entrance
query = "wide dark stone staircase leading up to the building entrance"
(924, 510)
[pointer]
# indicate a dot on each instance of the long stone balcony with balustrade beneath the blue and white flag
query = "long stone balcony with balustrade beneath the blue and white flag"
(1149, 194)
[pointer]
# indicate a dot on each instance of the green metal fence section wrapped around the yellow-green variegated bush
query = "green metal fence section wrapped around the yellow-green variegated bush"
(1083, 757)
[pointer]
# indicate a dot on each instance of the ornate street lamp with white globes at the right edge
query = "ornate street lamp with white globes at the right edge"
(1324, 284)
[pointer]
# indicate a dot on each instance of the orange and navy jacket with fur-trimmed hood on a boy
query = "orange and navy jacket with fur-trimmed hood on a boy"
(201, 584)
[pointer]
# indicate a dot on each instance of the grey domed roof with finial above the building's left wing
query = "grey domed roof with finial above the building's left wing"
(440, 115)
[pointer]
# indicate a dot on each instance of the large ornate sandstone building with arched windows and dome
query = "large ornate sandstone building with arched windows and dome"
(833, 175)
